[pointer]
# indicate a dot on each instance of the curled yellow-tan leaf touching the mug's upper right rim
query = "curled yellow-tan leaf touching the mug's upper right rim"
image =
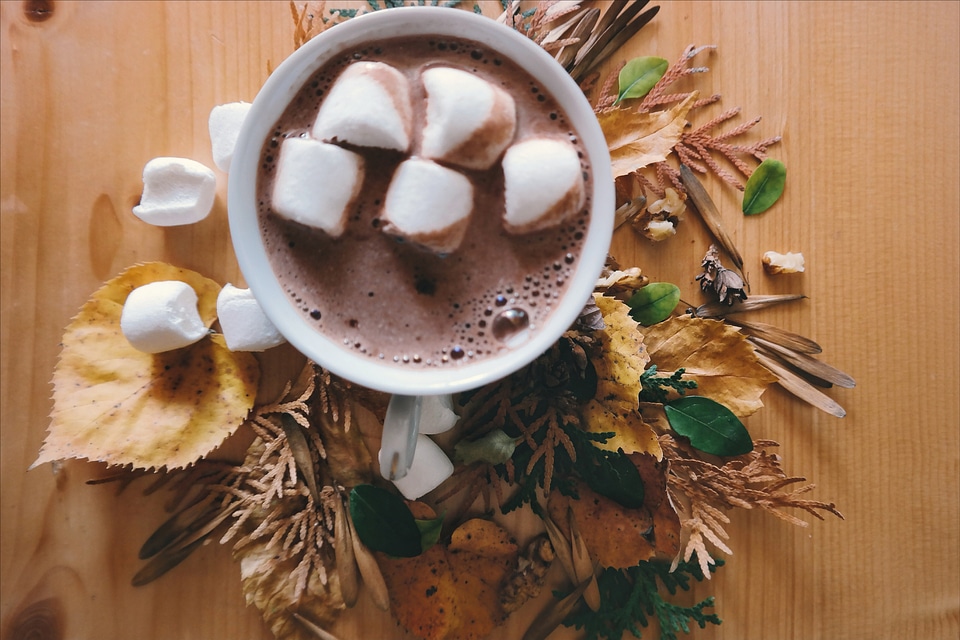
(636, 139)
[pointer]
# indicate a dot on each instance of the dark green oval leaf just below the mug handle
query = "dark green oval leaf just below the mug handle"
(384, 522)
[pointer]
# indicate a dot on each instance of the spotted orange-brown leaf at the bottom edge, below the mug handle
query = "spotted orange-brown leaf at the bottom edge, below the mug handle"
(453, 590)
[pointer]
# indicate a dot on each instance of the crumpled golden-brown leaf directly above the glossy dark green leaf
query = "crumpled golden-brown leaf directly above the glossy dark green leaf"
(718, 357)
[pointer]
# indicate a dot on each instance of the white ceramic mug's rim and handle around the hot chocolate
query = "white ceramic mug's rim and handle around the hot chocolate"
(405, 383)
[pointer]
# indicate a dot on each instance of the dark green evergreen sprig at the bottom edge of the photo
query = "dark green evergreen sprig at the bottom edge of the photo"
(630, 597)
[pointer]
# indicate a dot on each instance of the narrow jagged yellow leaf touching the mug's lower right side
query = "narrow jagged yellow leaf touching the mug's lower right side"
(619, 367)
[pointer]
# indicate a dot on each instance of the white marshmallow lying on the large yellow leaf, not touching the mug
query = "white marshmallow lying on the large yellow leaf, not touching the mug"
(162, 316)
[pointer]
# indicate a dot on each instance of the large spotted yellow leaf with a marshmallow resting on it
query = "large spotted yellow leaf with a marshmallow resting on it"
(115, 404)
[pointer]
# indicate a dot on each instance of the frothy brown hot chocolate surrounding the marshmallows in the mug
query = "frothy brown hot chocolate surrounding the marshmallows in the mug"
(391, 299)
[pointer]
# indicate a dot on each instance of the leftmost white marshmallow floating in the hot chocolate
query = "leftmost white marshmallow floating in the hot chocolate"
(316, 183)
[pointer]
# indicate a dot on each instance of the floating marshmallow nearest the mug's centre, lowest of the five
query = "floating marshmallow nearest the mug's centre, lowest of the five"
(428, 204)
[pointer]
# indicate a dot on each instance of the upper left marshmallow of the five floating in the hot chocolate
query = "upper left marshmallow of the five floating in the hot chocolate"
(368, 106)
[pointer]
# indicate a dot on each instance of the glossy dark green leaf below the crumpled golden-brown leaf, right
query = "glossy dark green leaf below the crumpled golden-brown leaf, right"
(710, 426)
